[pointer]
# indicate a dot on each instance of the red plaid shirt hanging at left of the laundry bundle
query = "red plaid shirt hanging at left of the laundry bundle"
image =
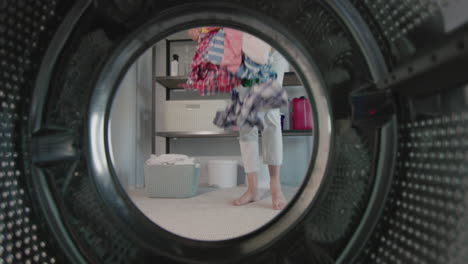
(206, 77)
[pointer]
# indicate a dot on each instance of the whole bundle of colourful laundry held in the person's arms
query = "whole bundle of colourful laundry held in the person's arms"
(227, 58)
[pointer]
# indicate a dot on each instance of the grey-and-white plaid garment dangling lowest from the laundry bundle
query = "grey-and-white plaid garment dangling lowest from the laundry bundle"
(260, 98)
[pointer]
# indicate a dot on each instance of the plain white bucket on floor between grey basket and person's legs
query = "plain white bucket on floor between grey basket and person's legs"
(222, 173)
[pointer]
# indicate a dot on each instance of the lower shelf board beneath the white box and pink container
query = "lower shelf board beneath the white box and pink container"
(212, 134)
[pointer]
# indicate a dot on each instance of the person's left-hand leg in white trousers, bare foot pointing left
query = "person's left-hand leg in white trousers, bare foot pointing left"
(248, 141)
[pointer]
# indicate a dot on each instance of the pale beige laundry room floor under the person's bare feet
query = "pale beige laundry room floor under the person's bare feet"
(210, 214)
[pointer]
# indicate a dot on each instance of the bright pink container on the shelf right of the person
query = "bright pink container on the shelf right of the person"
(301, 115)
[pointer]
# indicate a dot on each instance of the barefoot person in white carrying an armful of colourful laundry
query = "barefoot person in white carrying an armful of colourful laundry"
(234, 58)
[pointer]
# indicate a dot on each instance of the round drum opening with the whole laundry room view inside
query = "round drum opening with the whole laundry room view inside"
(203, 168)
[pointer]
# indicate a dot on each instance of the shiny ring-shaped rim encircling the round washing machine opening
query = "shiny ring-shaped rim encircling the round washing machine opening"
(99, 130)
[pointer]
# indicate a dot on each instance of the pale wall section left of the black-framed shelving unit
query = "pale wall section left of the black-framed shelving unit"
(131, 124)
